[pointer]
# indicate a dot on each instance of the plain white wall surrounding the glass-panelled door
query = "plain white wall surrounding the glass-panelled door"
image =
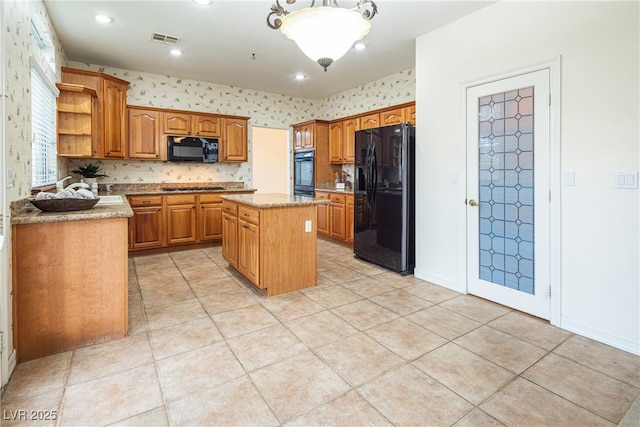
(598, 43)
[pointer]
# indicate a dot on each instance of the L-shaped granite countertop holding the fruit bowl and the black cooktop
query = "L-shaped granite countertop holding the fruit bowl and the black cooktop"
(23, 212)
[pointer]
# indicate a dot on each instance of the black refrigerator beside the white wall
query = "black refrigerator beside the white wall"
(384, 191)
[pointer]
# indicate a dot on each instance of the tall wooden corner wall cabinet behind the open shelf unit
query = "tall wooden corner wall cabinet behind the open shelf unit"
(111, 137)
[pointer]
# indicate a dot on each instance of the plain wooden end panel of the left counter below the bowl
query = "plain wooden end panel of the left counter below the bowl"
(70, 284)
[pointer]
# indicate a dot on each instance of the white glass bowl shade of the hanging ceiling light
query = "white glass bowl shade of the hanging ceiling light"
(325, 34)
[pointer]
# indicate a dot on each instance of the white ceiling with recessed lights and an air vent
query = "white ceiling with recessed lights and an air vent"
(230, 43)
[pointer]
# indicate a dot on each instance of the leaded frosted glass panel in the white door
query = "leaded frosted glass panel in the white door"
(506, 173)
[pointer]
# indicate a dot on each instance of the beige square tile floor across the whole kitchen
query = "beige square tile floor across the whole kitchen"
(364, 347)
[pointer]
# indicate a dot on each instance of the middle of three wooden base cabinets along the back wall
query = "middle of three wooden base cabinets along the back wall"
(181, 218)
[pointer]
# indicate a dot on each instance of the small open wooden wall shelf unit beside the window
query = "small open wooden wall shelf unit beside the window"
(77, 121)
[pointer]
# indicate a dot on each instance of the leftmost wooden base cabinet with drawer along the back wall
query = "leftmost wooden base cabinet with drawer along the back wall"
(147, 226)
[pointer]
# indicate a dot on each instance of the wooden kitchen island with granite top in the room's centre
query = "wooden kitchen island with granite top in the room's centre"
(270, 239)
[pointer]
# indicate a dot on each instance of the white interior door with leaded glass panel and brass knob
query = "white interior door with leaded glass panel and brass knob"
(508, 134)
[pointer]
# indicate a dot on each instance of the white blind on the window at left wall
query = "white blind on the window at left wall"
(43, 131)
